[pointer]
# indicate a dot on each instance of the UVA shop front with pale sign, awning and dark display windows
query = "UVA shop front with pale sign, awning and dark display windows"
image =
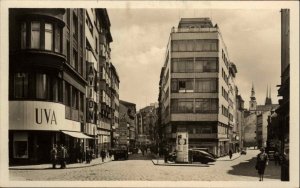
(34, 127)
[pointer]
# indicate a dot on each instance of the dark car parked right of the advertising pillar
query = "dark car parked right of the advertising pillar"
(201, 156)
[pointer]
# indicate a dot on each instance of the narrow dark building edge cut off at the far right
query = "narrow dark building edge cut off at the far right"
(284, 91)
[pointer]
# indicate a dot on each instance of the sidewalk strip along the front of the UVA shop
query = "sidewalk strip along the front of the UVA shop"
(94, 162)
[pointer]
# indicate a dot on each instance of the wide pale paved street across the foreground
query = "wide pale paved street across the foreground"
(141, 168)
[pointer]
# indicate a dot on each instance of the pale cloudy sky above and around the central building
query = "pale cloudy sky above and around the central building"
(140, 37)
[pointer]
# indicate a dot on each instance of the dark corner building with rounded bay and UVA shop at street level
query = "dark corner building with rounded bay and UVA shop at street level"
(47, 82)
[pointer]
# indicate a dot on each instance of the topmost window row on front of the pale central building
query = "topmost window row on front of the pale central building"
(200, 45)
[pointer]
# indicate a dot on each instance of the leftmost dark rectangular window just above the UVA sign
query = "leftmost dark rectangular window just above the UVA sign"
(21, 85)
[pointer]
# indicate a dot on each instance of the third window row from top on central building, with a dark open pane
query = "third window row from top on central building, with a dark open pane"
(194, 85)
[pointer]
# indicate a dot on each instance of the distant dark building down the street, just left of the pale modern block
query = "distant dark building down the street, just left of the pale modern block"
(146, 120)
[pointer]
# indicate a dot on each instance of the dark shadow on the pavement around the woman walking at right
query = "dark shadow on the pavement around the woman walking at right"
(247, 168)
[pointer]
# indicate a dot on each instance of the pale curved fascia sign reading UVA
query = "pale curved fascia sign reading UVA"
(37, 115)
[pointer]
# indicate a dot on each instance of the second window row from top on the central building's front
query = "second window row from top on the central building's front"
(201, 64)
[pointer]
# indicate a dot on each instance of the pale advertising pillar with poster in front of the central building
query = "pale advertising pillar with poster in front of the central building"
(182, 147)
